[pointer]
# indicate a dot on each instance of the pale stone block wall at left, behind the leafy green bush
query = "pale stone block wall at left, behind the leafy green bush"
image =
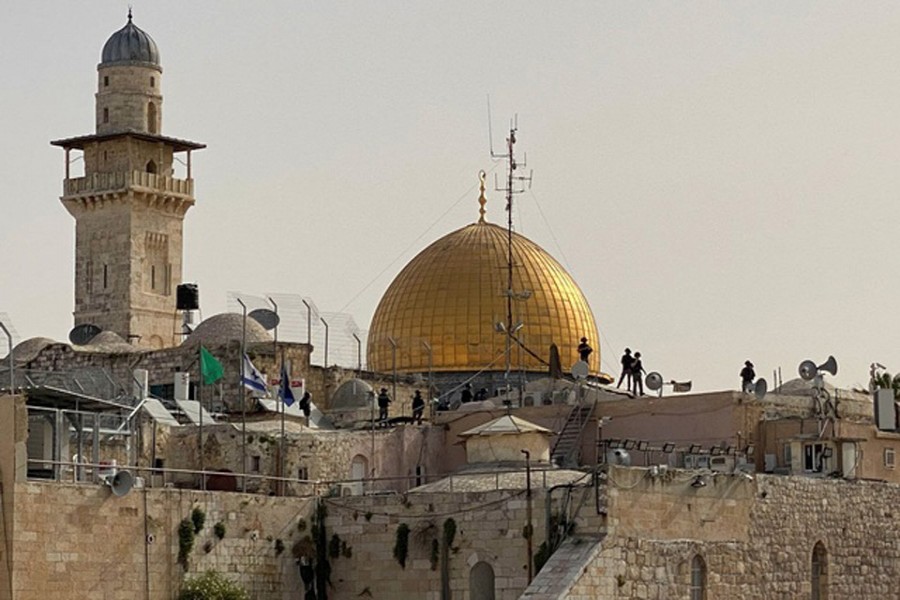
(80, 541)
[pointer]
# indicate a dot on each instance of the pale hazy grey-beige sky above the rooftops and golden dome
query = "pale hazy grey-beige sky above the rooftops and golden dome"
(721, 179)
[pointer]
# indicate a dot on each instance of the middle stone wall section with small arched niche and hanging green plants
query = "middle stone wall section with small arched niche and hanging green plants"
(489, 529)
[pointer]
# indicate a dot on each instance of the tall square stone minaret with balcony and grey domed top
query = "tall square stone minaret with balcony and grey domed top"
(128, 208)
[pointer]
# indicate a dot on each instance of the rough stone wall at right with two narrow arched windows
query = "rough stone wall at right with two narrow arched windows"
(755, 536)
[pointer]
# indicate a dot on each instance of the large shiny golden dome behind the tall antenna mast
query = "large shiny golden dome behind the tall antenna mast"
(452, 295)
